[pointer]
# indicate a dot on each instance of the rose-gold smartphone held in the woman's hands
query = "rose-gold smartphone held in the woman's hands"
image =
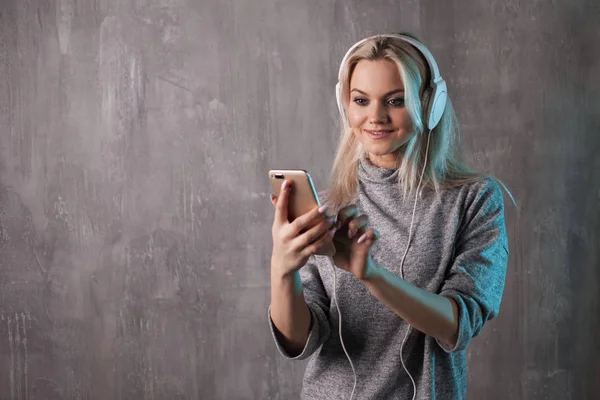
(303, 198)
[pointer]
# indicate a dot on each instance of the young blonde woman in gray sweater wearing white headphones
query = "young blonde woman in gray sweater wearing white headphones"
(421, 241)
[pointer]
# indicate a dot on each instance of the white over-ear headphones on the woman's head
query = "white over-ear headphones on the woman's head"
(434, 96)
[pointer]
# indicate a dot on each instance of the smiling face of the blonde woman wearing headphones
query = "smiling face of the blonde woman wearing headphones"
(376, 111)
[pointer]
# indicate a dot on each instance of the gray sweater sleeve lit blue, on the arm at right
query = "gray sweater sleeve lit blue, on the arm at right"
(475, 279)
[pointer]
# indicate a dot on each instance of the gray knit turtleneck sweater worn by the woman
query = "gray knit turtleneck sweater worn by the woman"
(459, 249)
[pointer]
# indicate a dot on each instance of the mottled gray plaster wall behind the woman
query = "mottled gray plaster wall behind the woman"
(135, 138)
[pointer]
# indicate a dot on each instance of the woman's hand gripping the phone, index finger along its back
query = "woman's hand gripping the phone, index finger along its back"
(291, 246)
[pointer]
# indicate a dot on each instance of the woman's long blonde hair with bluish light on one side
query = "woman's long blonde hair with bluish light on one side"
(445, 165)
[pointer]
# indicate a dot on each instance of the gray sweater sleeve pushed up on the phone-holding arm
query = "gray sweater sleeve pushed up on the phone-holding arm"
(318, 304)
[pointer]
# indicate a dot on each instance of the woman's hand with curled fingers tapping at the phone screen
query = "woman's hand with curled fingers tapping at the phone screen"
(353, 241)
